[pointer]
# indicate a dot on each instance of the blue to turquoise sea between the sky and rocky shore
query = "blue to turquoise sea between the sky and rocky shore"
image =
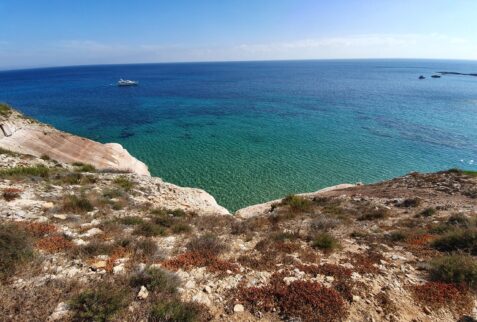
(248, 132)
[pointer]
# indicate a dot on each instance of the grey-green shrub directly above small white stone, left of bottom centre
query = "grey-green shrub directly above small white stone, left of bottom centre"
(156, 280)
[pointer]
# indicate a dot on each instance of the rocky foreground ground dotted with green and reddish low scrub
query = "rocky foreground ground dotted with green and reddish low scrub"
(79, 244)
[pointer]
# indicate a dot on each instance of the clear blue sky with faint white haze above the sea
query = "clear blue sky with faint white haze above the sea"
(40, 33)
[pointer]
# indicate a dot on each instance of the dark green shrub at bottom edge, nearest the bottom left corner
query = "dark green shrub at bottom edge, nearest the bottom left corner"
(99, 304)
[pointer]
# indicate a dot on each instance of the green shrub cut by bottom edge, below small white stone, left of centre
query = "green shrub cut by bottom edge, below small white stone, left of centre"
(173, 310)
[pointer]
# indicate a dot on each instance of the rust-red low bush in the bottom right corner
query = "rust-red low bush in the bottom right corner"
(437, 295)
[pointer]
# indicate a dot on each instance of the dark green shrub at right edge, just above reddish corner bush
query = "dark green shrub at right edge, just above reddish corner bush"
(456, 269)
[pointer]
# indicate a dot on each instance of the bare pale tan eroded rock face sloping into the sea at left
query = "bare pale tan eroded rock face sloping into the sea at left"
(37, 139)
